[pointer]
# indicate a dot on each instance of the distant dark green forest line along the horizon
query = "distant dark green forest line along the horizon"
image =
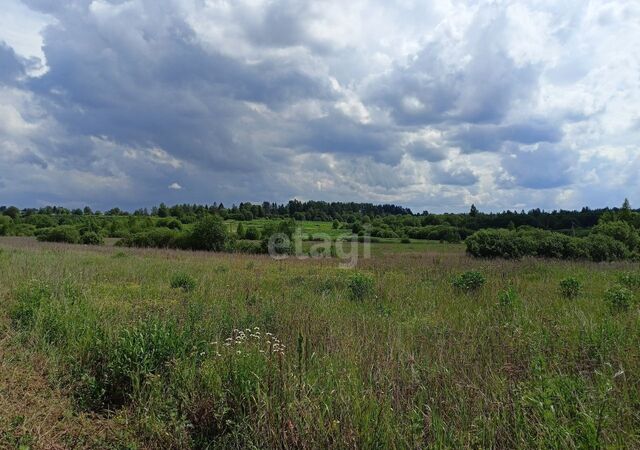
(557, 220)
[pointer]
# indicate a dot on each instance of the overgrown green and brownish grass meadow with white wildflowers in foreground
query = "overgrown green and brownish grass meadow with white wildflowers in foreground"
(98, 350)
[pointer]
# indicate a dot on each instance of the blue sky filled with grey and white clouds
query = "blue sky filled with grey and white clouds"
(433, 105)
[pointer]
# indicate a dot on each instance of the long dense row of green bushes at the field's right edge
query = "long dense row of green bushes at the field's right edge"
(512, 244)
